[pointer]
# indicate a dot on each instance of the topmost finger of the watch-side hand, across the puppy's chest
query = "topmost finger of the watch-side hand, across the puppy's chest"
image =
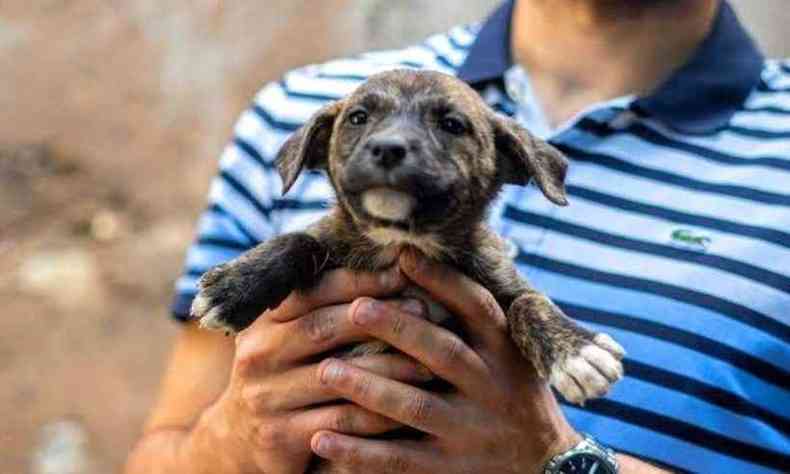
(475, 306)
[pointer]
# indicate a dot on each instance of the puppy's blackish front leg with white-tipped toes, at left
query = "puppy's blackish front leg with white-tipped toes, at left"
(232, 295)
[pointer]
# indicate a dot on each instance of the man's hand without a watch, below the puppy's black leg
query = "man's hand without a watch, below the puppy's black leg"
(264, 420)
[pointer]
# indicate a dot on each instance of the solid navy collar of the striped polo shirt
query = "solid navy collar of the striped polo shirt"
(699, 97)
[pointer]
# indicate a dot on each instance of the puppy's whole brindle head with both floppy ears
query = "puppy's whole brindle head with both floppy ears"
(419, 152)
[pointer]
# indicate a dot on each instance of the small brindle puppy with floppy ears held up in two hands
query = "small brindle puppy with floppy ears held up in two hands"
(415, 159)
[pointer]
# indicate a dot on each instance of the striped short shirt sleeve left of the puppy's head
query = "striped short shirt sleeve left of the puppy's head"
(238, 214)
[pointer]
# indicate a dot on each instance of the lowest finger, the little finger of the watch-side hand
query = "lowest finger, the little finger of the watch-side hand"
(364, 455)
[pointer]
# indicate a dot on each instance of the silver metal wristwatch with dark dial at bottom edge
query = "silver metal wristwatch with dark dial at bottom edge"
(587, 457)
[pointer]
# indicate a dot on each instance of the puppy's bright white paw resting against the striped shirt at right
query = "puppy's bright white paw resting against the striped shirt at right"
(589, 372)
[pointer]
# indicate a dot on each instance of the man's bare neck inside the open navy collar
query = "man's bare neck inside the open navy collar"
(579, 52)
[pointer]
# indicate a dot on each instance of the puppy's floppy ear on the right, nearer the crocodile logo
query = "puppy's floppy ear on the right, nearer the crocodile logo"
(521, 156)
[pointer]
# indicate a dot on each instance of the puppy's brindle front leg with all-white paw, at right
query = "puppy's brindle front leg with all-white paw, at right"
(579, 364)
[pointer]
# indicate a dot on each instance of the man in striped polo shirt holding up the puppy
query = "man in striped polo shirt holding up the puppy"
(676, 242)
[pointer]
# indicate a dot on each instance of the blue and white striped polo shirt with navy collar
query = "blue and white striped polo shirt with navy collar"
(676, 242)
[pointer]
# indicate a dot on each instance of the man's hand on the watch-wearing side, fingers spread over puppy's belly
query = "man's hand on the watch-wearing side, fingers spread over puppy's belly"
(501, 419)
